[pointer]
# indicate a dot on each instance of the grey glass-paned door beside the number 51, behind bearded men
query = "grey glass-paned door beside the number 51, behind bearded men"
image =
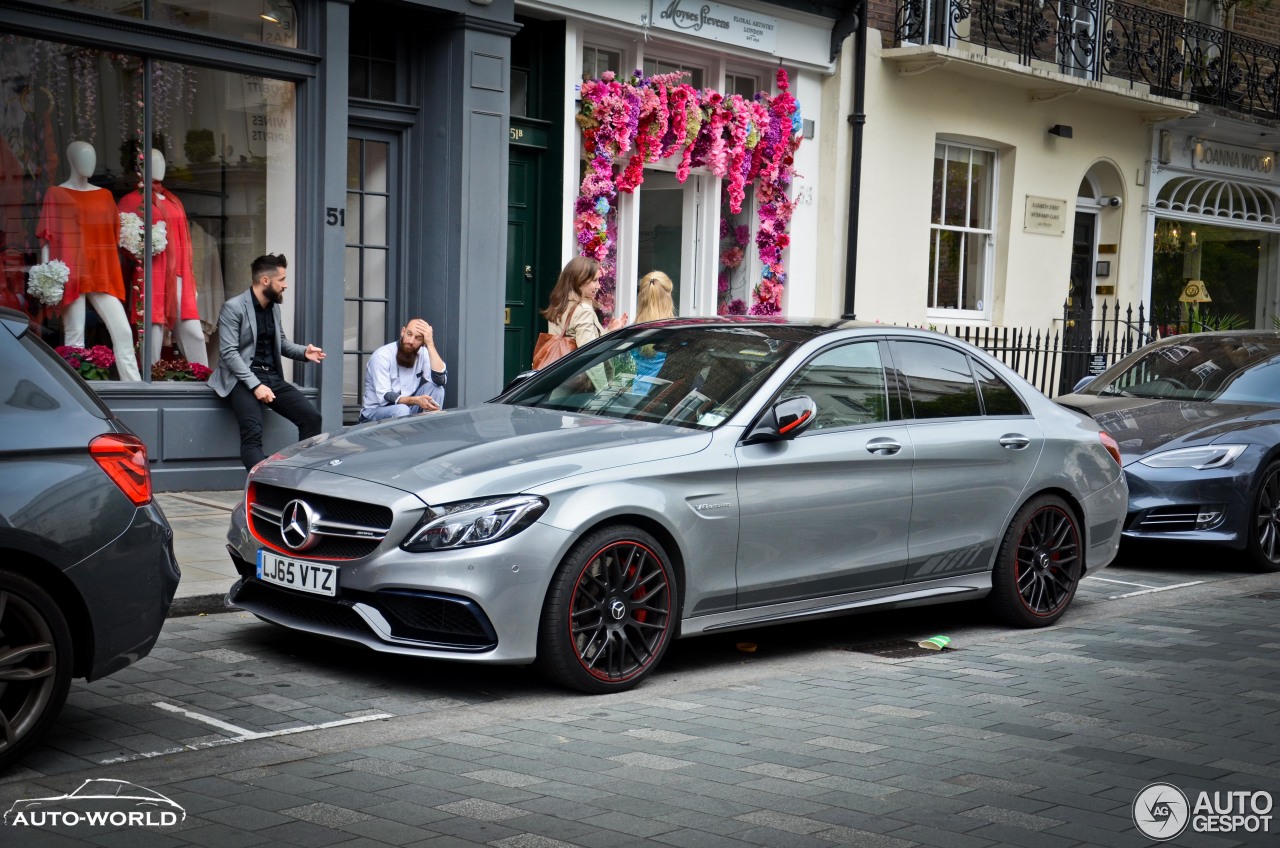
(372, 221)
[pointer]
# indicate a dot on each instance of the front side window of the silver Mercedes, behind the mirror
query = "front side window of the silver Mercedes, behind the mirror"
(847, 385)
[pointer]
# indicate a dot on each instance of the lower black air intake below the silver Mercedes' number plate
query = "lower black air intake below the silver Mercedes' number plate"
(438, 621)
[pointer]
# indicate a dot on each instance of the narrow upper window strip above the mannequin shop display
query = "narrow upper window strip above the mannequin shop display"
(263, 21)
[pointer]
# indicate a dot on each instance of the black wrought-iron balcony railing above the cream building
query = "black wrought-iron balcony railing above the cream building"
(1109, 42)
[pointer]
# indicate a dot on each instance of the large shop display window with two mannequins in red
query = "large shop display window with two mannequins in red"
(74, 171)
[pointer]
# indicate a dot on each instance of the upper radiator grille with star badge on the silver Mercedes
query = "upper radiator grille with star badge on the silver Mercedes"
(346, 530)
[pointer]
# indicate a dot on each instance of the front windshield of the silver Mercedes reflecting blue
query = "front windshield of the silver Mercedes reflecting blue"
(693, 377)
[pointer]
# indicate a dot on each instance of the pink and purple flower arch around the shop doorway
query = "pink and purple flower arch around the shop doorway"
(651, 118)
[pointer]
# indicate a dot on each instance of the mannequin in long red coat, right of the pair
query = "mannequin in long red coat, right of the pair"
(175, 304)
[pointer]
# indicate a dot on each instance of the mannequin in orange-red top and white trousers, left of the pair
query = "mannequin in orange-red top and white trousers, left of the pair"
(80, 226)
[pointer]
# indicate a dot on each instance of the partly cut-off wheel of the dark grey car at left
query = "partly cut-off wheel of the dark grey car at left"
(35, 665)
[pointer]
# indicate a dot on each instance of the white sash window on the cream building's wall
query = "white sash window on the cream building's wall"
(962, 239)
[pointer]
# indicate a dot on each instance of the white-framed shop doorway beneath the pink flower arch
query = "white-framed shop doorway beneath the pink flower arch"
(669, 235)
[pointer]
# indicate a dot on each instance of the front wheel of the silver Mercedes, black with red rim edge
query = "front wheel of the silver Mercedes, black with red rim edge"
(610, 612)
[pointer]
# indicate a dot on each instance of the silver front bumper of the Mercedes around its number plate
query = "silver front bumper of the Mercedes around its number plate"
(482, 604)
